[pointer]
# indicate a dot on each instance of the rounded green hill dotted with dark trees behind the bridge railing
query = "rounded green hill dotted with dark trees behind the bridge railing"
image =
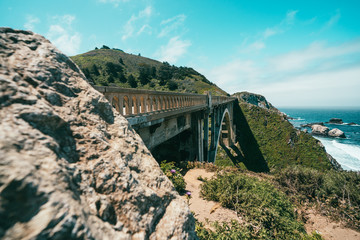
(114, 67)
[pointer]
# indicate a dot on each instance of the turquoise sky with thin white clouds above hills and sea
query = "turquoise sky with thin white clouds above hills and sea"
(295, 53)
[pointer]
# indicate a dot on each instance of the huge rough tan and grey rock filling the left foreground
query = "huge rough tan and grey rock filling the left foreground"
(70, 166)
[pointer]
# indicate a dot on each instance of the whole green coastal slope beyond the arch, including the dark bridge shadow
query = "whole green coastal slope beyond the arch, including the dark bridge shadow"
(267, 141)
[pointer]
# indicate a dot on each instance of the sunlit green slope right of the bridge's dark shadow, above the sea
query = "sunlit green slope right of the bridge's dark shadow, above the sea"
(279, 142)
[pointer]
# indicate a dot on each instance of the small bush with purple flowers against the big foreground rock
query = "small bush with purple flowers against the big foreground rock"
(173, 173)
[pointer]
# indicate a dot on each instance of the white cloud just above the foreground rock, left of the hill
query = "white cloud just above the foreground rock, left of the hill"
(63, 36)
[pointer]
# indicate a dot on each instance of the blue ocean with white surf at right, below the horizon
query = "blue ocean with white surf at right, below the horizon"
(345, 151)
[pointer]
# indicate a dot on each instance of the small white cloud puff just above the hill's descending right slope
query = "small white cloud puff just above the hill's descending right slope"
(174, 49)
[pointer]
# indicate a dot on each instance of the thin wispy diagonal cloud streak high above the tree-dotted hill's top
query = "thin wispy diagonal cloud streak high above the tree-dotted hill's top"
(132, 24)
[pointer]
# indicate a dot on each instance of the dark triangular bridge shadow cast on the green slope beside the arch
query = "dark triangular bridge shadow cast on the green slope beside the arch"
(249, 152)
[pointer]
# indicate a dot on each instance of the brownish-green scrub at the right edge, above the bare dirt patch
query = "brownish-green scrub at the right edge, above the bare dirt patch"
(337, 193)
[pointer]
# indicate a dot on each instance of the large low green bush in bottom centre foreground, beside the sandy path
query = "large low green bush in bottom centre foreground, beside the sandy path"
(267, 210)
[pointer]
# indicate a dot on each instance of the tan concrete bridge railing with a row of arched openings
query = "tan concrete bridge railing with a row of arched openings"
(130, 102)
